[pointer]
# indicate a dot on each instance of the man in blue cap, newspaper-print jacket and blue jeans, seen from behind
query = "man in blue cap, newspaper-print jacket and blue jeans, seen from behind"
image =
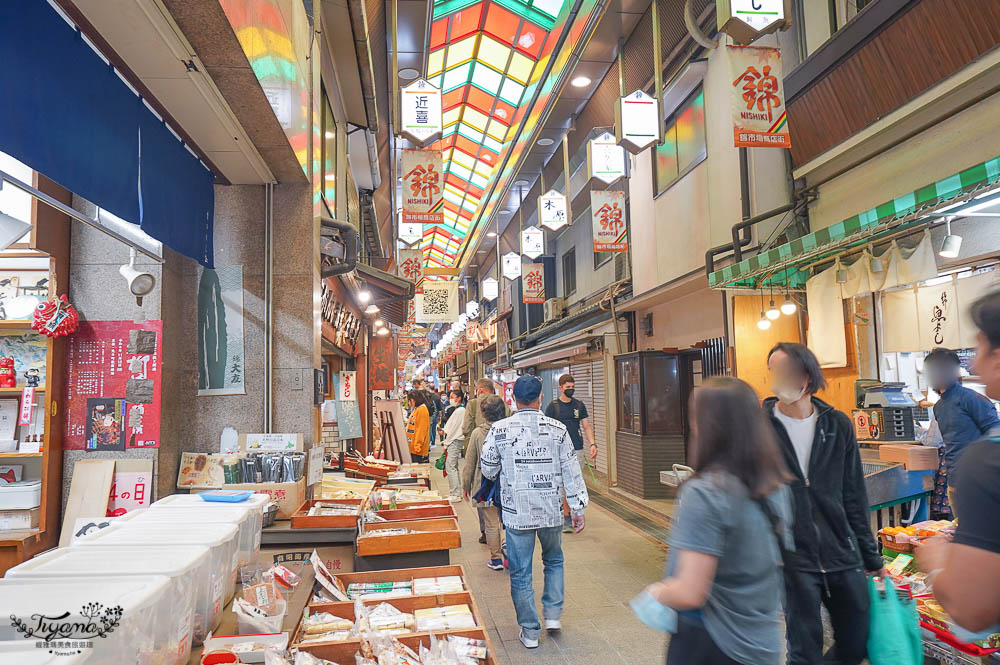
(531, 456)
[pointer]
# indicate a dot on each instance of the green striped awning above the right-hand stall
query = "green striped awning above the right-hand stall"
(784, 265)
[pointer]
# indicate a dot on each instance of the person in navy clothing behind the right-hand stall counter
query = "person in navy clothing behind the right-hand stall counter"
(962, 414)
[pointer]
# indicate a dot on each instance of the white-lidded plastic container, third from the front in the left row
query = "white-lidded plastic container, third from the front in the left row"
(220, 539)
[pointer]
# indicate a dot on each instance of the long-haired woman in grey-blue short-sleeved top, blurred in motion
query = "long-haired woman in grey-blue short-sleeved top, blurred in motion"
(723, 576)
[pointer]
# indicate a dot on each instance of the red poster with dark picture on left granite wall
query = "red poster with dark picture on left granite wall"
(113, 385)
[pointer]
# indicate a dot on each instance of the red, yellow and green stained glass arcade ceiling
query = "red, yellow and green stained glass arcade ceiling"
(484, 55)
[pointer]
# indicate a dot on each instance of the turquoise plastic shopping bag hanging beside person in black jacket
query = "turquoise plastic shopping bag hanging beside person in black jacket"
(894, 627)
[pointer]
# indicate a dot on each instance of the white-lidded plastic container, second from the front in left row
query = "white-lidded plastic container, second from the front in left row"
(188, 568)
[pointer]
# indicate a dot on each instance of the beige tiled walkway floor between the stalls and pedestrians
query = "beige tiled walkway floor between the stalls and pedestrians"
(606, 565)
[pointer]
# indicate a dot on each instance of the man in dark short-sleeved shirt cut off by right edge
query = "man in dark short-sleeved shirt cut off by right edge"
(965, 574)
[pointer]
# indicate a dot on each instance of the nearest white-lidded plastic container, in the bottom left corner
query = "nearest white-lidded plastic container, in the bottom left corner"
(114, 618)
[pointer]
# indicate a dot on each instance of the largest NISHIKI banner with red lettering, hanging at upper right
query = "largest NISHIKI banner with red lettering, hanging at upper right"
(758, 100)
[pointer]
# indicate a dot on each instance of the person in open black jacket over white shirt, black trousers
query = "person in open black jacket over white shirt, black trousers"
(834, 546)
